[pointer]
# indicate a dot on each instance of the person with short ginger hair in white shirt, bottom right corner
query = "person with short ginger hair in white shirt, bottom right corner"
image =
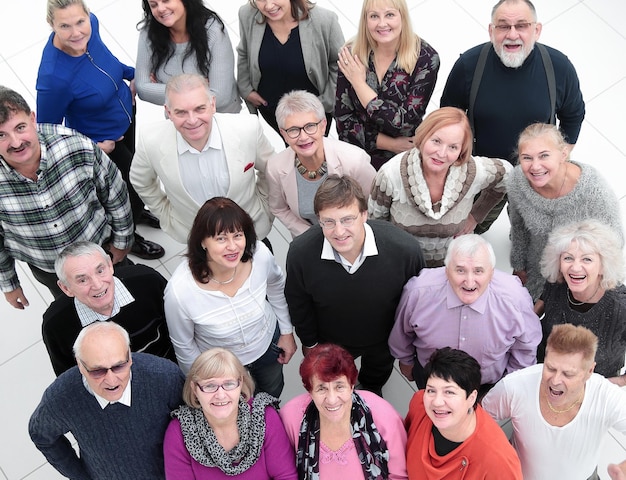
(560, 410)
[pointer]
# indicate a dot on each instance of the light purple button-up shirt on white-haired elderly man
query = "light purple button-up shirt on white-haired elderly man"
(500, 329)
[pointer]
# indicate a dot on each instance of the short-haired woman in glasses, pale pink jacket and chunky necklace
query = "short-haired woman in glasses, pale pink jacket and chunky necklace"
(295, 174)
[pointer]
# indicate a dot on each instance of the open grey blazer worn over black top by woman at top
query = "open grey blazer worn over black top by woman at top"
(321, 38)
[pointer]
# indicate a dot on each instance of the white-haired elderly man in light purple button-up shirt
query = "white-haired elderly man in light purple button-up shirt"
(470, 306)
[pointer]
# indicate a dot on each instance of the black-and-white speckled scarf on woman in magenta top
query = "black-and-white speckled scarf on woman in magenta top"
(203, 446)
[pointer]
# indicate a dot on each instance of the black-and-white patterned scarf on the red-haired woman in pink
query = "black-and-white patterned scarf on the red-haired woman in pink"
(370, 446)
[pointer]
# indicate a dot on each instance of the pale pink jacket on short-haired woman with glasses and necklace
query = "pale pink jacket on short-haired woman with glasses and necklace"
(341, 158)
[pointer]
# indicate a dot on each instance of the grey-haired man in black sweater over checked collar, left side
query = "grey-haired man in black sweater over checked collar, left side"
(133, 298)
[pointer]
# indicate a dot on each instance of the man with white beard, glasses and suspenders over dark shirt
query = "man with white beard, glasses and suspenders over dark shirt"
(505, 85)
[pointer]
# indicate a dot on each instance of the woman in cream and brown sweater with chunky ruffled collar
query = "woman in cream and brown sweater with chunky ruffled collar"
(430, 190)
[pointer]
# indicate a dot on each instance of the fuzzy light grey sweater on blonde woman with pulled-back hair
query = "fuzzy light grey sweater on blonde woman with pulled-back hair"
(533, 217)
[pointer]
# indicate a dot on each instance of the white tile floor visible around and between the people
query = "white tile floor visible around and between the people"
(451, 26)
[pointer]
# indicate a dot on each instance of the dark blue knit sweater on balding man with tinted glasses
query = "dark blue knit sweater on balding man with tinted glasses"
(117, 442)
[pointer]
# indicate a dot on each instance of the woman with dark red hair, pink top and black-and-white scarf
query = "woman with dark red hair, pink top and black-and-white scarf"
(338, 432)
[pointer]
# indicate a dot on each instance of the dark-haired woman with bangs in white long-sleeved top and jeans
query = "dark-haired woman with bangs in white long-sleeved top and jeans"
(229, 293)
